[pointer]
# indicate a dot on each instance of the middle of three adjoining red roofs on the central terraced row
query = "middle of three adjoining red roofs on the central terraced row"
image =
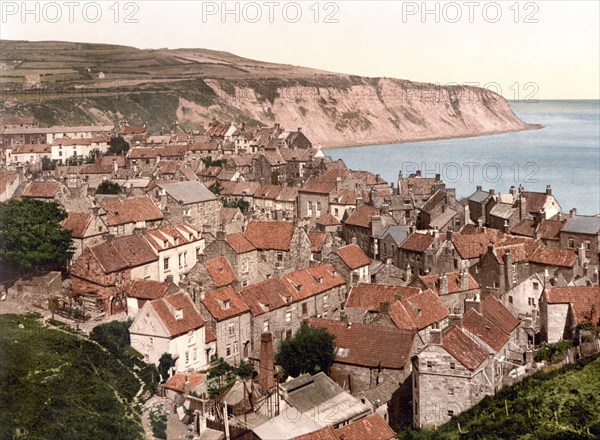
(267, 295)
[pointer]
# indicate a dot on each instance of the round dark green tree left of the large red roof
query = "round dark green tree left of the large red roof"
(310, 350)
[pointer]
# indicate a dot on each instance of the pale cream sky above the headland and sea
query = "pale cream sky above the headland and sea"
(523, 50)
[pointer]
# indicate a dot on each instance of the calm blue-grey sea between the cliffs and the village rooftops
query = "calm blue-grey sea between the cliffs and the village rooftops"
(565, 154)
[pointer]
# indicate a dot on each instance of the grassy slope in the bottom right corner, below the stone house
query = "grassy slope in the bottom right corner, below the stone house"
(560, 404)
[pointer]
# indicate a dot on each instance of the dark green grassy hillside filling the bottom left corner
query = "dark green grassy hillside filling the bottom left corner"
(57, 386)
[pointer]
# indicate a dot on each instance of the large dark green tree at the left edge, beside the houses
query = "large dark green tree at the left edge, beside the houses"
(32, 237)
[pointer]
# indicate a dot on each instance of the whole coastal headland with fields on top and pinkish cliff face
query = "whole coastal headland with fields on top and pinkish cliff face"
(79, 83)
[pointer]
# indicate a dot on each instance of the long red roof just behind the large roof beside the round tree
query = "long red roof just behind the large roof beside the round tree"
(369, 297)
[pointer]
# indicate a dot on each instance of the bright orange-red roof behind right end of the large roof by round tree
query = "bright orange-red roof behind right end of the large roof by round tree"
(418, 311)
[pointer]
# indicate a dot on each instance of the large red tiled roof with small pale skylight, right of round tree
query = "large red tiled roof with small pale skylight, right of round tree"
(361, 344)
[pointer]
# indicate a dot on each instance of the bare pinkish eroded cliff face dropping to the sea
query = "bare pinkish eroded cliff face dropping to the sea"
(375, 111)
